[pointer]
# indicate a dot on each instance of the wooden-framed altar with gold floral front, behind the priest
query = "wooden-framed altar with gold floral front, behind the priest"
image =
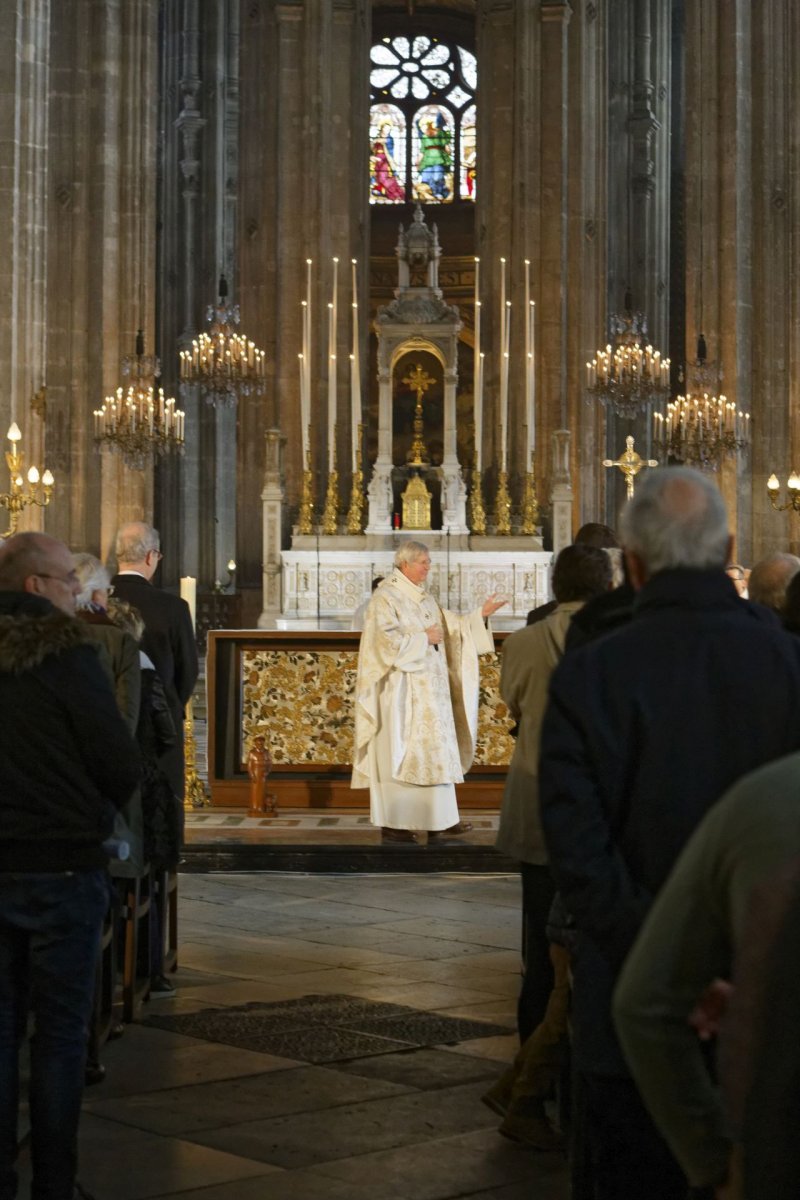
(297, 689)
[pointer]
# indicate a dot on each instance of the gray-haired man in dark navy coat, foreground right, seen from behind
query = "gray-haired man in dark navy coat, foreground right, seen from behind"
(646, 729)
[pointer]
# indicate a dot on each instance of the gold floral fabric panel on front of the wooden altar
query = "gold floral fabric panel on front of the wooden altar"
(303, 703)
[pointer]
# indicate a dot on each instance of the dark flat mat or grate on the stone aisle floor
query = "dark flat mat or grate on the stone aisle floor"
(326, 1029)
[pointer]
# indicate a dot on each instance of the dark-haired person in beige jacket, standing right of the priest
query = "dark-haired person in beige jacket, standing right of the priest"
(530, 657)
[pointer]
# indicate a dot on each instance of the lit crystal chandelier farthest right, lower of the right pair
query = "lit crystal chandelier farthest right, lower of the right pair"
(701, 431)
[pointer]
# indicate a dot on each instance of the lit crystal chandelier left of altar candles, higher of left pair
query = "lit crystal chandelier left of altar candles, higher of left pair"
(222, 363)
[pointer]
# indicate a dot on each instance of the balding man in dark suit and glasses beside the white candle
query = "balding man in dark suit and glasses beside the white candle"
(169, 633)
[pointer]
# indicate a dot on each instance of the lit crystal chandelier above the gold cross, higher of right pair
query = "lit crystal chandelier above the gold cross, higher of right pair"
(628, 375)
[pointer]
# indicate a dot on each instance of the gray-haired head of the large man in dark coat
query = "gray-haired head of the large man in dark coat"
(677, 519)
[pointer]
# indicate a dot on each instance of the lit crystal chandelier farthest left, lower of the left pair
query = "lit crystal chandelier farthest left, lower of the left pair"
(139, 422)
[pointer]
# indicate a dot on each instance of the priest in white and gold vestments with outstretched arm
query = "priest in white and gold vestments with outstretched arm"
(417, 701)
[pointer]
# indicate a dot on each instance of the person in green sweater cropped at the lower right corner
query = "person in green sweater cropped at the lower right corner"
(724, 903)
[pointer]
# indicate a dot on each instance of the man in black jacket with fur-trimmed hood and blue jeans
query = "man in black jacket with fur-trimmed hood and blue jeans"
(67, 764)
